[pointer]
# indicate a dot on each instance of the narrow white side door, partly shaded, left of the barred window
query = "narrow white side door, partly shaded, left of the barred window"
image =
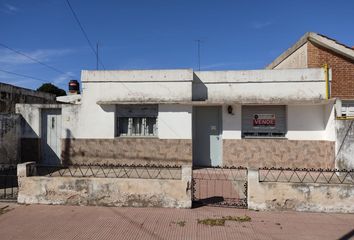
(51, 137)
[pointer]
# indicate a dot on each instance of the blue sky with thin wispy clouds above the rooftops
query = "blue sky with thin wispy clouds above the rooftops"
(159, 34)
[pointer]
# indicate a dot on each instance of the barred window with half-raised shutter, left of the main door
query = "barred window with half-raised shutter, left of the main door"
(137, 120)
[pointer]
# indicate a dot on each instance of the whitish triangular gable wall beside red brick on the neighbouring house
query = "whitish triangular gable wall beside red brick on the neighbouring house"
(297, 59)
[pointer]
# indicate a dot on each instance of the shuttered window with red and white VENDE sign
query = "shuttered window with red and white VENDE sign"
(263, 121)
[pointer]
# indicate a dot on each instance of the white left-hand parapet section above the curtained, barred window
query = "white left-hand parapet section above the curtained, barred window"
(137, 86)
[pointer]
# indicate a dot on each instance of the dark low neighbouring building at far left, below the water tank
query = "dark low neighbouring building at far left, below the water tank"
(10, 95)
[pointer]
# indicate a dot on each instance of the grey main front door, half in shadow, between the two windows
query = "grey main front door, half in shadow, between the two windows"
(207, 142)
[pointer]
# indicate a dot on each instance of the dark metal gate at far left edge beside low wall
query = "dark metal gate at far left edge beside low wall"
(8, 182)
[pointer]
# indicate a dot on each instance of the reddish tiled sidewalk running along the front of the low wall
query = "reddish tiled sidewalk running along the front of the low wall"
(73, 222)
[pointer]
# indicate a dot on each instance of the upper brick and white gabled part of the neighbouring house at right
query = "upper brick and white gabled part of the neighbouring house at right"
(314, 50)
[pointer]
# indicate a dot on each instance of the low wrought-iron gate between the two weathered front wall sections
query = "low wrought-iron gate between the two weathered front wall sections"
(220, 186)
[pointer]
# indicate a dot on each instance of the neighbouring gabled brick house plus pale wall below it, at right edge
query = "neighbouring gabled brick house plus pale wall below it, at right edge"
(312, 51)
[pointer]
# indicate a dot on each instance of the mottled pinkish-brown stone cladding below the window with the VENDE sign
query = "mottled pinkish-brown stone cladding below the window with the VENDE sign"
(278, 153)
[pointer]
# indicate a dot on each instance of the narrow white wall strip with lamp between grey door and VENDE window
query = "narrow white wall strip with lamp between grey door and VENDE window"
(231, 123)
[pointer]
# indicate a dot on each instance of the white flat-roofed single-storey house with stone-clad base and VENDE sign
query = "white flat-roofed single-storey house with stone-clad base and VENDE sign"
(273, 118)
